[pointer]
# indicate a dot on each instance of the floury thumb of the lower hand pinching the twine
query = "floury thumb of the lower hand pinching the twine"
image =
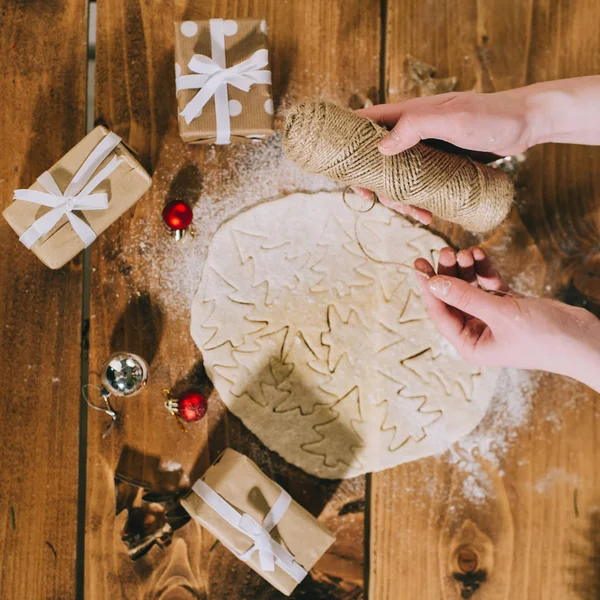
(466, 298)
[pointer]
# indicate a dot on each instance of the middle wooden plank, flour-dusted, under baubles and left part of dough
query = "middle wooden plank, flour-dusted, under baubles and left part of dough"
(143, 283)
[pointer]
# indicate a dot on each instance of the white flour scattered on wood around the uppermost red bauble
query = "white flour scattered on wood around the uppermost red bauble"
(236, 177)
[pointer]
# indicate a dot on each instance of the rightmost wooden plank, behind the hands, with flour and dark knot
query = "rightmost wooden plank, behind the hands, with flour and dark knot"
(512, 515)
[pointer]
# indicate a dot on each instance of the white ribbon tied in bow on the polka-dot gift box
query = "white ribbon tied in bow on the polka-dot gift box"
(212, 76)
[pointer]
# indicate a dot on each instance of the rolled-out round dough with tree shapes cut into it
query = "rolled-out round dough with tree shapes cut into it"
(314, 334)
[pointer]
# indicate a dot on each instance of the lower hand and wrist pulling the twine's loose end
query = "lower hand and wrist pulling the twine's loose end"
(507, 330)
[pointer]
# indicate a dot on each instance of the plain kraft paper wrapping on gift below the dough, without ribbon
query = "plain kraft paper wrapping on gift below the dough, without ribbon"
(241, 483)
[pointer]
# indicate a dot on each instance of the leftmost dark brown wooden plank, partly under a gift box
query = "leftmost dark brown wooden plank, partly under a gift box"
(42, 115)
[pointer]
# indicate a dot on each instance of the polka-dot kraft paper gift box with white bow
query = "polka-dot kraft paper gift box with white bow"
(223, 80)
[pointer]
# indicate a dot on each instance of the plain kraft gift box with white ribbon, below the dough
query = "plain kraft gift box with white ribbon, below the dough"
(257, 520)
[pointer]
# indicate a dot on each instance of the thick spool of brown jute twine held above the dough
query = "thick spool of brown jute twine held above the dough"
(324, 138)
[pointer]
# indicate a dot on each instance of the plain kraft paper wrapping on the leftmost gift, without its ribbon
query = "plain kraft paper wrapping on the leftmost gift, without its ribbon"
(125, 186)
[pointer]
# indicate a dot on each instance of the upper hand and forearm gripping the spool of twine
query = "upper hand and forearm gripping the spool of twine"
(502, 123)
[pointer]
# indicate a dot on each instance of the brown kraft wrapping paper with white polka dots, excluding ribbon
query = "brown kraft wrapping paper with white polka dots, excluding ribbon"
(256, 117)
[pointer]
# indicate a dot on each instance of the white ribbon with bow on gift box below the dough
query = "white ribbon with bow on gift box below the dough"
(270, 552)
